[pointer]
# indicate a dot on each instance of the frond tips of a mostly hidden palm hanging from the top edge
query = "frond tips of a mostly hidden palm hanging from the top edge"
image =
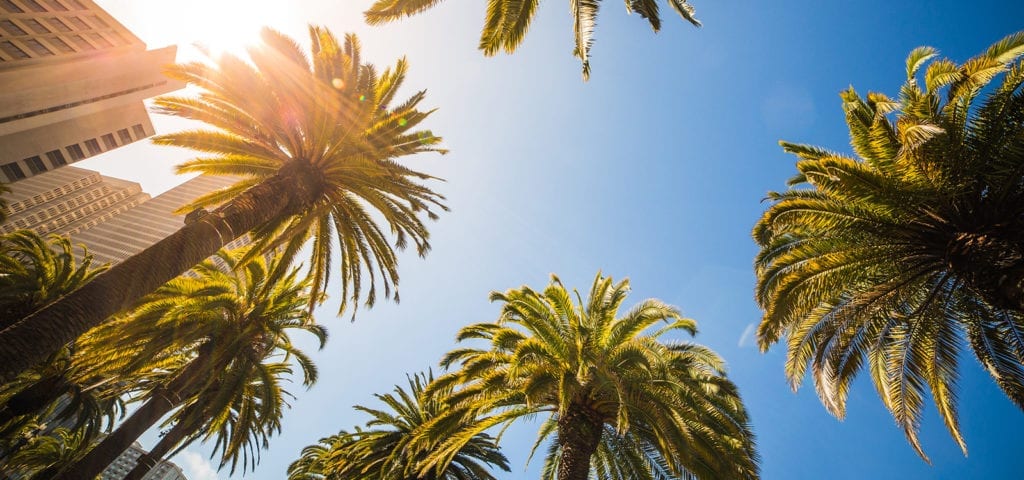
(508, 21)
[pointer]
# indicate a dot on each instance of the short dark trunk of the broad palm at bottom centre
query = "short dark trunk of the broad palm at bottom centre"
(579, 435)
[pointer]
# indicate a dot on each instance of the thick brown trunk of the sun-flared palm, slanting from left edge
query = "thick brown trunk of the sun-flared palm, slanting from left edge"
(36, 337)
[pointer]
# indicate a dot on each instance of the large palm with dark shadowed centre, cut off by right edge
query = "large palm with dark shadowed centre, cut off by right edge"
(901, 253)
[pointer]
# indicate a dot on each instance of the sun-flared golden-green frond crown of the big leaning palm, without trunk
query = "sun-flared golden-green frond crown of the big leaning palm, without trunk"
(338, 126)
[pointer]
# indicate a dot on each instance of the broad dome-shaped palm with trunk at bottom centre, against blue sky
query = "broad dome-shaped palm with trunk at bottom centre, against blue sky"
(604, 381)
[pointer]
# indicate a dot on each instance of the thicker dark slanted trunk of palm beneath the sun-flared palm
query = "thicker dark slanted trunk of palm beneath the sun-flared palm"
(161, 404)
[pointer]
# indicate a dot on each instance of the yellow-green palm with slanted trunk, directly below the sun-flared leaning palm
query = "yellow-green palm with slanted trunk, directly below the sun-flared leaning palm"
(230, 331)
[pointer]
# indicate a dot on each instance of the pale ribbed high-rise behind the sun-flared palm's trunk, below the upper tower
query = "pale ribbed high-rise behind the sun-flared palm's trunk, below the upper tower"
(112, 217)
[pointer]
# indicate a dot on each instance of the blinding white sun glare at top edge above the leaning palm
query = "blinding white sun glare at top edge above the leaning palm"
(218, 26)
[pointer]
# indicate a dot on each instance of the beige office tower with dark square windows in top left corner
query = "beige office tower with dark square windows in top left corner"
(72, 84)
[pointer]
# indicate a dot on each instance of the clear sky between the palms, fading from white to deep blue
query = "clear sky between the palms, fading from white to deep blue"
(654, 170)
